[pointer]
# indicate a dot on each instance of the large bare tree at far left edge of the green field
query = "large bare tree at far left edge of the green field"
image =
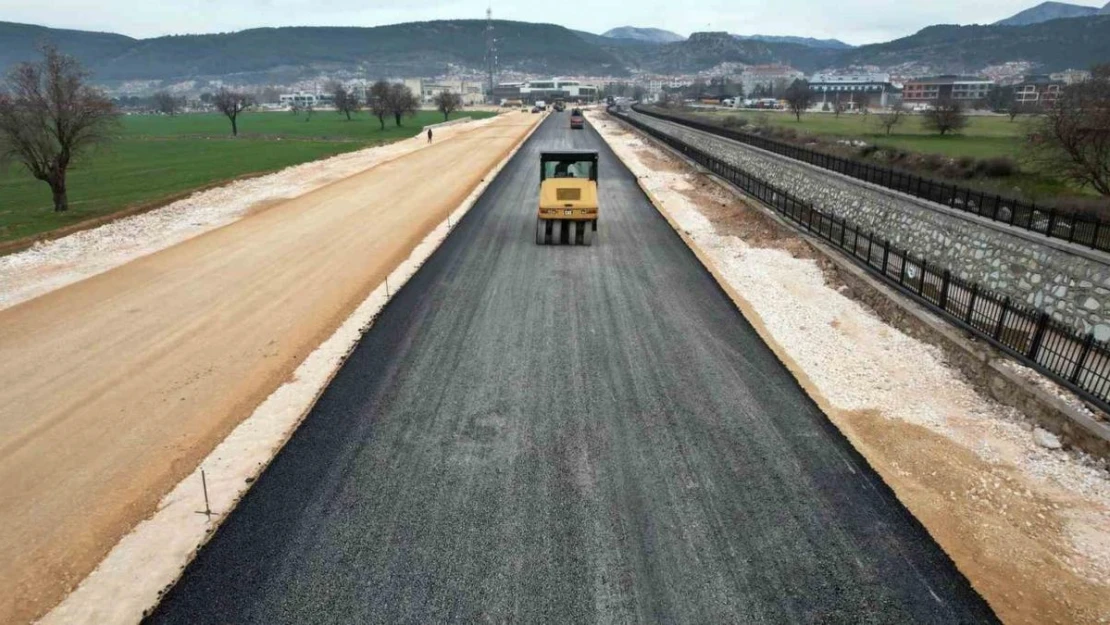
(51, 117)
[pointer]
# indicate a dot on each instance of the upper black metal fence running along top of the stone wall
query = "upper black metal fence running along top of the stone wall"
(1077, 229)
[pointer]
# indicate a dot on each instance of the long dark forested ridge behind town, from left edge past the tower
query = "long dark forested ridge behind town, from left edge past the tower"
(282, 55)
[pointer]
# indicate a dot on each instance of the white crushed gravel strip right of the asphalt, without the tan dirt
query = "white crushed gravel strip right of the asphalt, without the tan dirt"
(859, 362)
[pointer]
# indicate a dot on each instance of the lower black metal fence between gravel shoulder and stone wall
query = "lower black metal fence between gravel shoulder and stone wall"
(1055, 349)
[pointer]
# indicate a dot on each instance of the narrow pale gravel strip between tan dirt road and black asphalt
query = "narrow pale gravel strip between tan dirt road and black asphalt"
(148, 561)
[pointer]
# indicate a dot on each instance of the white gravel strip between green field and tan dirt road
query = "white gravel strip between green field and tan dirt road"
(53, 265)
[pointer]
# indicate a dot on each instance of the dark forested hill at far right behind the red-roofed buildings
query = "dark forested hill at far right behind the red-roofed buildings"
(1051, 46)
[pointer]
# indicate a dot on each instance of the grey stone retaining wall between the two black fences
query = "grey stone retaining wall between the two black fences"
(1071, 283)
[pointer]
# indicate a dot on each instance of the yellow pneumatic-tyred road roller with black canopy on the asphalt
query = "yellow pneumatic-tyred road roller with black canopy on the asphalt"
(568, 198)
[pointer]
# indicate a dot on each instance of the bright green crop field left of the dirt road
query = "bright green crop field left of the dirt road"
(156, 158)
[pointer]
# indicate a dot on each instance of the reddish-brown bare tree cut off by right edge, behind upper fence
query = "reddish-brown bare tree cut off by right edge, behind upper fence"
(1073, 138)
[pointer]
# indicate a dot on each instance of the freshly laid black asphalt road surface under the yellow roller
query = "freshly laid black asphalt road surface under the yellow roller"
(557, 435)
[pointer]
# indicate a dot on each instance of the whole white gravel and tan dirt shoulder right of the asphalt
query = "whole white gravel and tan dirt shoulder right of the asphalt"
(1030, 527)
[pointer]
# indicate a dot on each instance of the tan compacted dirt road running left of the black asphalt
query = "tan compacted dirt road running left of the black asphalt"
(115, 388)
